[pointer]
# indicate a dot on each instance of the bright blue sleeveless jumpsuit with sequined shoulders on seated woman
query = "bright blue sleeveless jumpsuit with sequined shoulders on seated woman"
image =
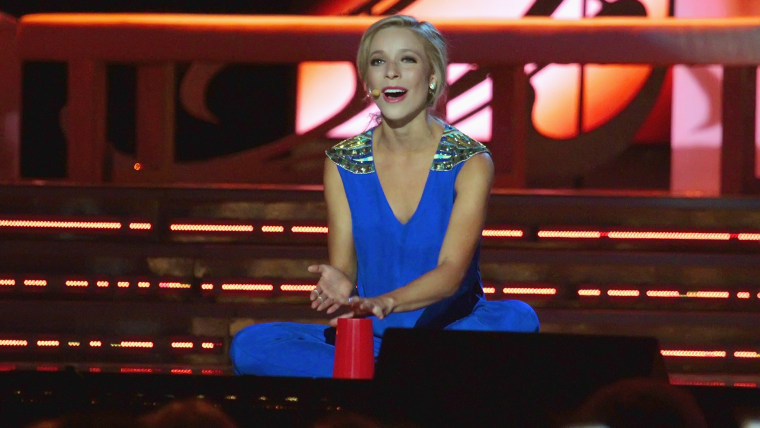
(389, 254)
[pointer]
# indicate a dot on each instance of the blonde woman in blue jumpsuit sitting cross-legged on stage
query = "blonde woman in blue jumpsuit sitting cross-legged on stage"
(406, 205)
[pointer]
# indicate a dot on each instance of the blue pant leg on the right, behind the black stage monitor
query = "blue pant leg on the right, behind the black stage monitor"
(499, 315)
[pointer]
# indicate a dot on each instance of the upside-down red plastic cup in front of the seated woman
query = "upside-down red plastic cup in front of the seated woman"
(354, 349)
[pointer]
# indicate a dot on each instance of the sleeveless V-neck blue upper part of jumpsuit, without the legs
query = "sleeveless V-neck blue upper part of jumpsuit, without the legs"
(391, 254)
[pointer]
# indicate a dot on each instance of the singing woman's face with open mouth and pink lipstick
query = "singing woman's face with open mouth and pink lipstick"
(400, 70)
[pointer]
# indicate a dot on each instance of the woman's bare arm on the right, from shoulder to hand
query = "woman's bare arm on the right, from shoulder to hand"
(468, 215)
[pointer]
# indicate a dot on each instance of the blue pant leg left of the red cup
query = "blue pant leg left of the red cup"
(282, 349)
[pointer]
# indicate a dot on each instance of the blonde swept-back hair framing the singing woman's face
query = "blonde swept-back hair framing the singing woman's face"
(434, 45)
